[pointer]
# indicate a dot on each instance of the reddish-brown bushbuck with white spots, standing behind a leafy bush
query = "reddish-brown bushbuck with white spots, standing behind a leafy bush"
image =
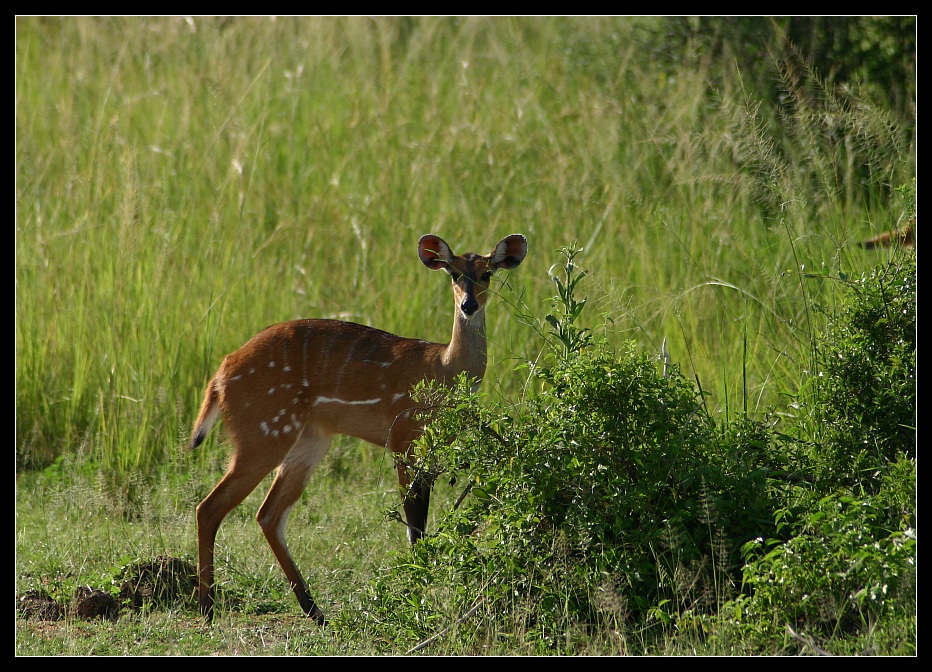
(287, 391)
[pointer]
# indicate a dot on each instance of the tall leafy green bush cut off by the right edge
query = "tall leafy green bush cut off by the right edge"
(847, 550)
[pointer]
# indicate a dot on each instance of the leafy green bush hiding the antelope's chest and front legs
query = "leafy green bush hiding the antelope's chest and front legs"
(611, 498)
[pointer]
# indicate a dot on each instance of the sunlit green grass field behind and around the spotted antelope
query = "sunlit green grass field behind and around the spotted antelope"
(183, 182)
